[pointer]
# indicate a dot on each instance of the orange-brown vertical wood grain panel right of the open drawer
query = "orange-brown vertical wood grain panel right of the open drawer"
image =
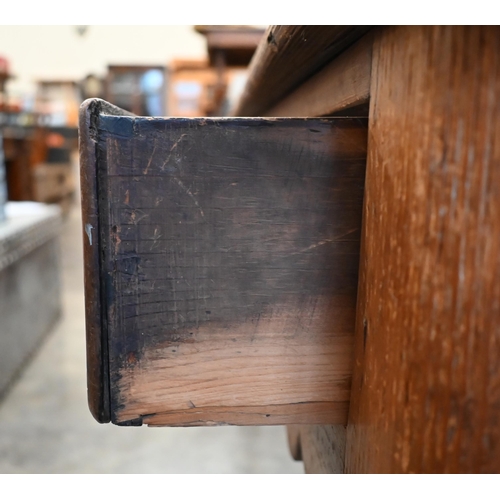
(426, 384)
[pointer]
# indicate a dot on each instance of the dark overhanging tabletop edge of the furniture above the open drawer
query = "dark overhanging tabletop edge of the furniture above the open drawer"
(286, 57)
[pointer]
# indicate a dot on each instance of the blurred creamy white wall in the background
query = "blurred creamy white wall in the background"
(58, 52)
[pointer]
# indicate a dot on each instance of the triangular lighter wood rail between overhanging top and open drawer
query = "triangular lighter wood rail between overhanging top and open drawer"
(343, 83)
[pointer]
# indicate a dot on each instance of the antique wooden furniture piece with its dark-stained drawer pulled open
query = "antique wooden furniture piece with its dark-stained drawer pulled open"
(222, 255)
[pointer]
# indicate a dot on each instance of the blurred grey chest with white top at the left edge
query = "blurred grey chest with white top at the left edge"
(30, 300)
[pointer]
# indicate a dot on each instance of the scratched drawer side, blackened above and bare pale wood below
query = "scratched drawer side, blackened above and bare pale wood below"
(230, 252)
